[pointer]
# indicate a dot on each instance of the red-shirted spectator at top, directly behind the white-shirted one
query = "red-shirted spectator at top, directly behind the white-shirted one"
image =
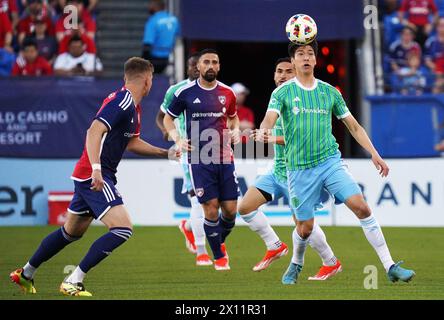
(88, 22)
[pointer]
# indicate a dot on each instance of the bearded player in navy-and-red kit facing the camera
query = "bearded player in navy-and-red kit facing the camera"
(212, 125)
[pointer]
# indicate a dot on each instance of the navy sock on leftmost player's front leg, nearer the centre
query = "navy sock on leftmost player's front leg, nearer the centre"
(103, 247)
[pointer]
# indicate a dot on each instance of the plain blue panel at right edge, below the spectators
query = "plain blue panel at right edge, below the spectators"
(407, 126)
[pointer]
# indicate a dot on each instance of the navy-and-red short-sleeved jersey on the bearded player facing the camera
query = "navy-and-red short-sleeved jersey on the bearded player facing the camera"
(206, 112)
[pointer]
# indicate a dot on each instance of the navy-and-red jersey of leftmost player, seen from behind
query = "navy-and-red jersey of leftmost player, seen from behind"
(122, 118)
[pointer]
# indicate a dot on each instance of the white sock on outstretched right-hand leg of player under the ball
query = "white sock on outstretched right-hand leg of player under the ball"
(374, 235)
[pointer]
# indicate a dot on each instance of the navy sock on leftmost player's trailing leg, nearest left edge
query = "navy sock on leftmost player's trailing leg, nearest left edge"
(50, 246)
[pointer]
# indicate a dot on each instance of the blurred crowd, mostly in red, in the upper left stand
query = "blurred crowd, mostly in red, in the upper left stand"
(39, 37)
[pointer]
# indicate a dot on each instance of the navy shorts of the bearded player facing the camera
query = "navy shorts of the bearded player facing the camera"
(214, 181)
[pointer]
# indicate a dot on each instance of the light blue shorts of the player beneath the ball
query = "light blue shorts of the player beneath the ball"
(306, 186)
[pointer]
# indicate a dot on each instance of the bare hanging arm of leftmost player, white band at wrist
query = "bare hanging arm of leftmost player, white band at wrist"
(94, 137)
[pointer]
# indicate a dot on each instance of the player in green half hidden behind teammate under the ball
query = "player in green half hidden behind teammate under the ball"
(273, 185)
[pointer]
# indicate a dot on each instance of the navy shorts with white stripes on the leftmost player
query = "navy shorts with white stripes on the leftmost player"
(94, 203)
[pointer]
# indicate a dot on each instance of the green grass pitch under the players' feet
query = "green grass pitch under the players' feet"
(154, 264)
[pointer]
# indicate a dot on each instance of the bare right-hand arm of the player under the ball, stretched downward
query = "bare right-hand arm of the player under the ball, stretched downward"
(358, 132)
